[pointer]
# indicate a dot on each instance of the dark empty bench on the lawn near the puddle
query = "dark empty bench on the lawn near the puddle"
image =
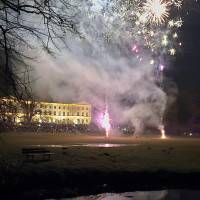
(40, 153)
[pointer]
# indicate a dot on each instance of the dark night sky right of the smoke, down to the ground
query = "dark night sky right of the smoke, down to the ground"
(185, 71)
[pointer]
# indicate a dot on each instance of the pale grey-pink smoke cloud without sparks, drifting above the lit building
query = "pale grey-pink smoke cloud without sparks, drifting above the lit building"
(100, 68)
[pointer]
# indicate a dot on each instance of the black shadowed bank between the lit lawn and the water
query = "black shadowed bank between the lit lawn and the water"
(85, 182)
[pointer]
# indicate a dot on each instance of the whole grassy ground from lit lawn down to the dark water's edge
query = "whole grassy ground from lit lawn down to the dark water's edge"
(144, 164)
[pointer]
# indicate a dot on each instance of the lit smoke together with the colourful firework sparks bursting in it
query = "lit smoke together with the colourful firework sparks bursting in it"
(117, 55)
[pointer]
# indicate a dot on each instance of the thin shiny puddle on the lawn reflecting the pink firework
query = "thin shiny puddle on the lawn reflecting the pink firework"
(105, 145)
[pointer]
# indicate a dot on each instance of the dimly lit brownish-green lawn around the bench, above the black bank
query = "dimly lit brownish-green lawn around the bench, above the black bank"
(141, 154)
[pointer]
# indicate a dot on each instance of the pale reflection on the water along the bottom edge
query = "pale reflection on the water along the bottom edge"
(150, 195)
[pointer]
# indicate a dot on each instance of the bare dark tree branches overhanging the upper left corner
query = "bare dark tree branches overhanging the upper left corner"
(25, 22)
